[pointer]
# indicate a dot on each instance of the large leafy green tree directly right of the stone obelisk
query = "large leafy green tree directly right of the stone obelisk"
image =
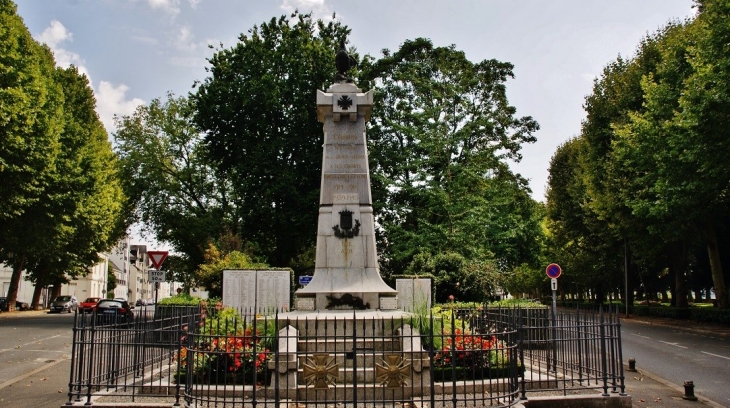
(441, 131)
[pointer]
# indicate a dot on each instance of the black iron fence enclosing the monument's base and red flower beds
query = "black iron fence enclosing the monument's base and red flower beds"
(221, 357)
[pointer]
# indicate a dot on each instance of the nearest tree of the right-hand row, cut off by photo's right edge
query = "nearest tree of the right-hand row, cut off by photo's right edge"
(704, 115)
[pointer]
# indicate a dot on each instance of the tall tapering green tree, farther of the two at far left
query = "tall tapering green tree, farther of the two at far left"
(84, 202)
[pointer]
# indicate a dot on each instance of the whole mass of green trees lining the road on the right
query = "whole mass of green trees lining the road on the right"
(649, 167)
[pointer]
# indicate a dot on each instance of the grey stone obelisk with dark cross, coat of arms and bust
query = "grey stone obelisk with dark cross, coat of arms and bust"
(347, 274)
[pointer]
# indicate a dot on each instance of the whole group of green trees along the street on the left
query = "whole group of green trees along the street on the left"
(62, 203)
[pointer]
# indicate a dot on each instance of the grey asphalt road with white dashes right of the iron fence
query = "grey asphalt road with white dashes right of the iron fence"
(678, 354)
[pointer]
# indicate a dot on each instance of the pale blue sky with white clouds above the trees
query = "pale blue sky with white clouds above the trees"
(136, 50)
